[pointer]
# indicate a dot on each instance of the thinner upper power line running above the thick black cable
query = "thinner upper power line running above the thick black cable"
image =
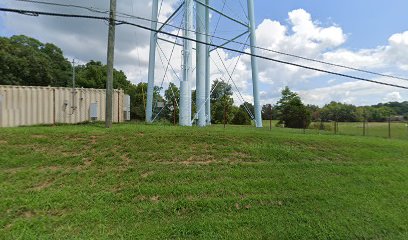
(224, 39)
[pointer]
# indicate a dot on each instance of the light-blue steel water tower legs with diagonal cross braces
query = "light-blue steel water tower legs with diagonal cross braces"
(202, 35)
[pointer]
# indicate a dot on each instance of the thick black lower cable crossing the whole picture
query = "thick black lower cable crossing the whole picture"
(120, 22)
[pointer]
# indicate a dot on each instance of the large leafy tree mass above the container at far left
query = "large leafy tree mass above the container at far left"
(27, 61)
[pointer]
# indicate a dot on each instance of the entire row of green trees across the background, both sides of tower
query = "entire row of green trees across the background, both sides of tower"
(29, 62)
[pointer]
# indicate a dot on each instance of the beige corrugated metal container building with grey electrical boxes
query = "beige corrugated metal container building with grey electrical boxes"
(22, 106)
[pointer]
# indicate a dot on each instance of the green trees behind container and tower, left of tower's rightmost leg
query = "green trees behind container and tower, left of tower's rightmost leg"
(26, 61)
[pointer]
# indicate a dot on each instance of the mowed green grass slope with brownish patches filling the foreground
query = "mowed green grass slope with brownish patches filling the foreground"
(162, 182)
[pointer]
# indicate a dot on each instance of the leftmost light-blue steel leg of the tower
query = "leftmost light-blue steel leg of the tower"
(152, 62)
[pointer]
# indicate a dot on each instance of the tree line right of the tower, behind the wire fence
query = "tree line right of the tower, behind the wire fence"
(292, 112)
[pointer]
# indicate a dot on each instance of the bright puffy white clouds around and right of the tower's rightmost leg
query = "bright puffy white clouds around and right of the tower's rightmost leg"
(309, 39)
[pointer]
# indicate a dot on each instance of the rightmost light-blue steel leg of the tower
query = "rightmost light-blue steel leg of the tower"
(255, 77)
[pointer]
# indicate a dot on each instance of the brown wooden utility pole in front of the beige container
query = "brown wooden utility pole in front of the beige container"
(110, 60)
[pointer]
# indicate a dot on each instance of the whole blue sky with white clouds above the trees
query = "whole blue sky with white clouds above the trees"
(367, 34)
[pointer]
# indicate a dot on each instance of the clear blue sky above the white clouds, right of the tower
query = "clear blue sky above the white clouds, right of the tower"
(369, 23)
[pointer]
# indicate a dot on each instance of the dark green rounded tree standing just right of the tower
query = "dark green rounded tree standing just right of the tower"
(292, 112)
